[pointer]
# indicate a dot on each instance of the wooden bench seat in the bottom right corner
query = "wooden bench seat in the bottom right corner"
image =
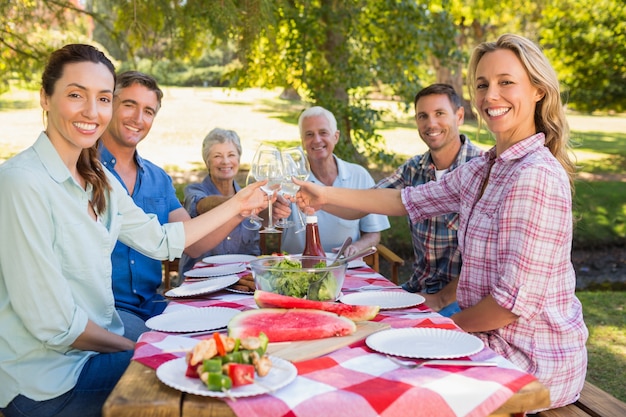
(593, 402)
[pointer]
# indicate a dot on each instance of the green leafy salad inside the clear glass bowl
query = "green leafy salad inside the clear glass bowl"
(288, 278)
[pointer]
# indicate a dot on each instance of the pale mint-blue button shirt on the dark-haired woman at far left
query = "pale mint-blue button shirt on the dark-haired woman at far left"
(55, 268)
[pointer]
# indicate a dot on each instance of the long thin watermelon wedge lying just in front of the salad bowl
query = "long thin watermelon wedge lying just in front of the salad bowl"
(266, 299)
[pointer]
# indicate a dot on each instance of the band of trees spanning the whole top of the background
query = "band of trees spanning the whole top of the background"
(335, 53)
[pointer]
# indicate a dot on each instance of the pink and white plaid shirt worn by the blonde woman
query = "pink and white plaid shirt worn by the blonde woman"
(515, 242)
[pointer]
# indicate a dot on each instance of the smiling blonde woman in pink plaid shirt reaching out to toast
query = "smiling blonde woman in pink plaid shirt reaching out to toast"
(517, 284)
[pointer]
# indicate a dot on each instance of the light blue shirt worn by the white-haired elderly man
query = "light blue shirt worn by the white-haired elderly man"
(334, 230)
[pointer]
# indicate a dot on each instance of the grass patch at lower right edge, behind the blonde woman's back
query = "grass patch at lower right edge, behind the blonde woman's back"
(605, 316)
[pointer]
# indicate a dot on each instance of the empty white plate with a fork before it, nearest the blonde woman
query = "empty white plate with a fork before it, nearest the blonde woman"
(425, 343)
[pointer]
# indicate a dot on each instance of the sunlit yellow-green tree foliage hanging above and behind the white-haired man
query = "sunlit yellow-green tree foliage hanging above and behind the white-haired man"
(336, 52)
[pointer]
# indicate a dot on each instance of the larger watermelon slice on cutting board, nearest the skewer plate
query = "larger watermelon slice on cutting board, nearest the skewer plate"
(286, 325)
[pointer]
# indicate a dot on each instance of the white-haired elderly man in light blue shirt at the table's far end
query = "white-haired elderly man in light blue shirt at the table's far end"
(319, 135)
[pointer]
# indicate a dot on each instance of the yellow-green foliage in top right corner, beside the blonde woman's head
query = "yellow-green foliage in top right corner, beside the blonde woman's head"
(586, 41)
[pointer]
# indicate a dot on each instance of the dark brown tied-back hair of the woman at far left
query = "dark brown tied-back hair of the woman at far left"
(88, 164)
